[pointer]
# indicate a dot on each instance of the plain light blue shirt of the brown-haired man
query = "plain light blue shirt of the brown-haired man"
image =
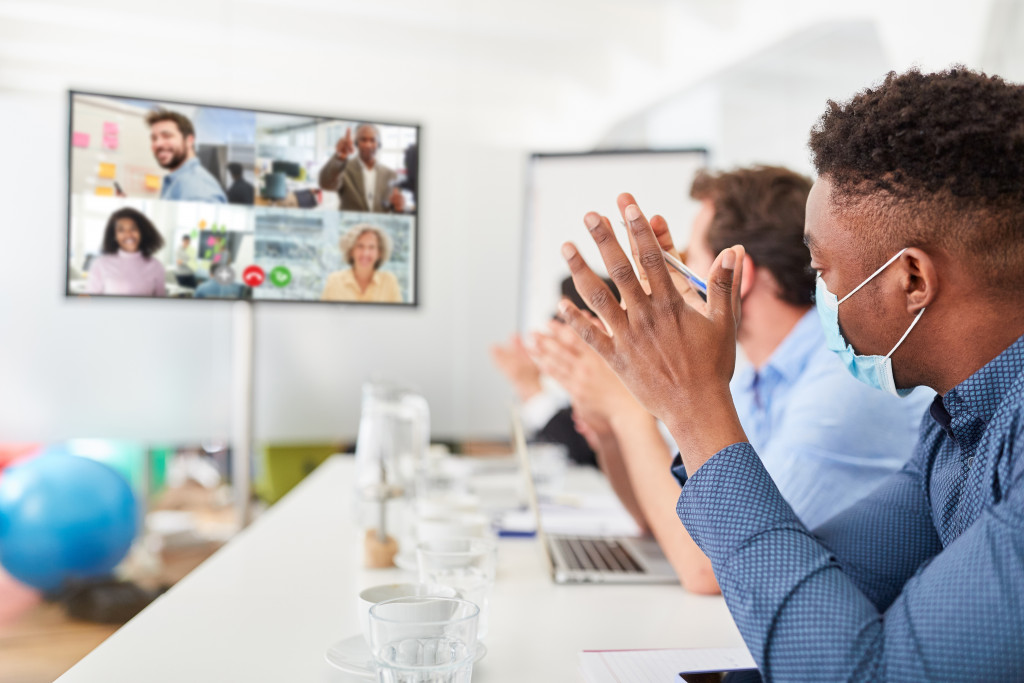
(805, 415)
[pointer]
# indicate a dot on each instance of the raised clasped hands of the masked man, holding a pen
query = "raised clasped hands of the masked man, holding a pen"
(675, 354)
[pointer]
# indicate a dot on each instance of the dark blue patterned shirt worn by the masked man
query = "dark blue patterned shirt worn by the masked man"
(921, 581)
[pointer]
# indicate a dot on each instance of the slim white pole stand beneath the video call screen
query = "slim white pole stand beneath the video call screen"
(242, 409)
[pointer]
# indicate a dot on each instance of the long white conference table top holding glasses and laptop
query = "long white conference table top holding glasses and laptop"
(269, 605)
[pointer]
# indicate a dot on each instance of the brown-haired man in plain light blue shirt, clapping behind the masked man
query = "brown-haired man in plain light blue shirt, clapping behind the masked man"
(797, 403)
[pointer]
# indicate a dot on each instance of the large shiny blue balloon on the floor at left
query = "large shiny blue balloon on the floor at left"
(64, 518)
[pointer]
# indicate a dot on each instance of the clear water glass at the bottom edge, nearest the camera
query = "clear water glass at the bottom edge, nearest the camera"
(424, 639)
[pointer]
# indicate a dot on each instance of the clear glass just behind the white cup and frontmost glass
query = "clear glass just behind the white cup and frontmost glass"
(470, 566)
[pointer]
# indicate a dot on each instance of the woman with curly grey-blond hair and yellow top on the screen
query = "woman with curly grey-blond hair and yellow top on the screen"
(365, 248)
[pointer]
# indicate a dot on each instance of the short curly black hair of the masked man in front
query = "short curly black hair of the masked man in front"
(933, 160)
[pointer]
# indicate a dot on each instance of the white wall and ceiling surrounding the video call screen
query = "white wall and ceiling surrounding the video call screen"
(490, 82)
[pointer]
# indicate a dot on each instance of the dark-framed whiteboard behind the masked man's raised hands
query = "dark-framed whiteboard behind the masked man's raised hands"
(564, 188)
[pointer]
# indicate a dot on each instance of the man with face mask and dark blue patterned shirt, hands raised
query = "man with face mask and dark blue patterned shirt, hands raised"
(915, 228)
